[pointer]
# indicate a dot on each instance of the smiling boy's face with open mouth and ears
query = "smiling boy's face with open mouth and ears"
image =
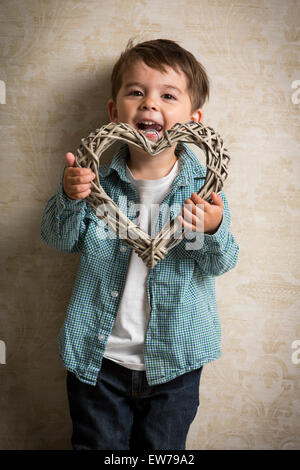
(147, 94)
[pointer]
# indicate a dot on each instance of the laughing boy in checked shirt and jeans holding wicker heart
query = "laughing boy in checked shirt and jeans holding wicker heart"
(135, 340)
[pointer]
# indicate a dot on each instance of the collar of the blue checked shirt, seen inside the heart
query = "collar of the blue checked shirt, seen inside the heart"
(190, 164)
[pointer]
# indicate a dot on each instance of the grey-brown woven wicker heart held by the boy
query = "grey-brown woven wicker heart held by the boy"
(151, 250)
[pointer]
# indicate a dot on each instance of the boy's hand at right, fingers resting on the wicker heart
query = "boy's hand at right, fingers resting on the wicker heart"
(206, 218)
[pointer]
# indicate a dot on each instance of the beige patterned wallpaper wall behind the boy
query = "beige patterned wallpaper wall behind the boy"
(56, 58)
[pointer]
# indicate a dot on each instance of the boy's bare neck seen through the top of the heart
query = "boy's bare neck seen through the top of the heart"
(148, 167)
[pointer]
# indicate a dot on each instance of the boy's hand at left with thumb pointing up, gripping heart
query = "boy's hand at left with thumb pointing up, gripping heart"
(77, 181)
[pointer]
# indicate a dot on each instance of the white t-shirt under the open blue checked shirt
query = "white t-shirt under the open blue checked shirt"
(125, 345)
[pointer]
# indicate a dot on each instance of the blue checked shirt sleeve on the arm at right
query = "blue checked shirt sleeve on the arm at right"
(219, 251)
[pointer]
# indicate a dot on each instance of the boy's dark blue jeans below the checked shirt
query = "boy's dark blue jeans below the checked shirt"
(123, 412)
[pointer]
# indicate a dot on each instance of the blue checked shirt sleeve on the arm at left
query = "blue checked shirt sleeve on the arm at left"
(63, 222)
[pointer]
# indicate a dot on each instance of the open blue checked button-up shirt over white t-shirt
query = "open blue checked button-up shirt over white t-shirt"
(184, 330)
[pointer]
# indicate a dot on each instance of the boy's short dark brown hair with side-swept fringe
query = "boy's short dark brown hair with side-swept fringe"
(157, 53)
